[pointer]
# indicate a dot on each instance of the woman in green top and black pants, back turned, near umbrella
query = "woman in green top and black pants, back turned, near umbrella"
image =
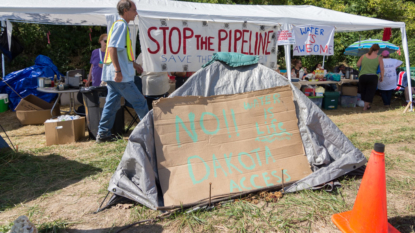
(368, 79)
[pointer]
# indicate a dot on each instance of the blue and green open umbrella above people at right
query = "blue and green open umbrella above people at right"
(361, 47)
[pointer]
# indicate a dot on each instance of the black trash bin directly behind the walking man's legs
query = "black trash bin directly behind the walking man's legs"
(93, 111)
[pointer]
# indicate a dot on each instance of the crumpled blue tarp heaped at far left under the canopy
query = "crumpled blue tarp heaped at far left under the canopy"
(24, 81)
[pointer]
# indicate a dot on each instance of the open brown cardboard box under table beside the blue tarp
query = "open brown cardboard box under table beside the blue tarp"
(34, 111)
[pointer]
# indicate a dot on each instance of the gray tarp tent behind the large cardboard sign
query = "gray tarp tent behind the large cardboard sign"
(328, 150)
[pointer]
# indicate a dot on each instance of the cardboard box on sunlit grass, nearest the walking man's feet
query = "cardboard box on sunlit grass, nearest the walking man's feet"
(64, 132)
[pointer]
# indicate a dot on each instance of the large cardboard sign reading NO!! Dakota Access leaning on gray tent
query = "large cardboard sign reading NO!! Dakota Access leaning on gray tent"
(238, 142)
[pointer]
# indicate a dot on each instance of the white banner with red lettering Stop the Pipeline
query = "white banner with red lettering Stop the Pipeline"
(181, 45)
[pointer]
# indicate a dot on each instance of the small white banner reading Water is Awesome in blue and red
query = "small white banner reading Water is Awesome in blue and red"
(314, 40)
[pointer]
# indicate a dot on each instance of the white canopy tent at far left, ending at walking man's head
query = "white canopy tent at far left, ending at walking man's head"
(59, 12)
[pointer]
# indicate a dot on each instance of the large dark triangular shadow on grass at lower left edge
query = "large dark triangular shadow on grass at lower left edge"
(25, 177)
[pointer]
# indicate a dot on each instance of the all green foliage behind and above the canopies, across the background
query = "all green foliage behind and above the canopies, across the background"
(71, 47)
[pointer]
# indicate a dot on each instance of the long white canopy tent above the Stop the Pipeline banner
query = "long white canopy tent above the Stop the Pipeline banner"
(270, 14)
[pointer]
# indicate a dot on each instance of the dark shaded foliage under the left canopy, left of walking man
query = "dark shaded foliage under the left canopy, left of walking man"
(69, 48)
